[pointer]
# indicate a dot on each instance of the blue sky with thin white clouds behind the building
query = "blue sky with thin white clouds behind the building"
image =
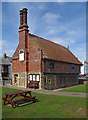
(60, 22)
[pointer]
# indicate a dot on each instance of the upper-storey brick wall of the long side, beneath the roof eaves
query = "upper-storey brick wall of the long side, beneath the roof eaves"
(60, 67)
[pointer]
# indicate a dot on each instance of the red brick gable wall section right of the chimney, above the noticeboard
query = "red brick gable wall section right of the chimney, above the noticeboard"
(34, 57)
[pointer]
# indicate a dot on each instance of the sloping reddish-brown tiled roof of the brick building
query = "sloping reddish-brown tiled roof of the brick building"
(52, 50)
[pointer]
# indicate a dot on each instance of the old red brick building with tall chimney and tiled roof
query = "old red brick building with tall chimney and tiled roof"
(38, 59)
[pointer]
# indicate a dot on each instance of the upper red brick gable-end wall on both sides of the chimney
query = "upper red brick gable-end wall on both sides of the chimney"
(32, 57)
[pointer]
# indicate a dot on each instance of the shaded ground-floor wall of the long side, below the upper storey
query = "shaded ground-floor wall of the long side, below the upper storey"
(54, 81)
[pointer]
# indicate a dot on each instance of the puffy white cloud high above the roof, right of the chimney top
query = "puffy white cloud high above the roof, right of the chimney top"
(51, 18)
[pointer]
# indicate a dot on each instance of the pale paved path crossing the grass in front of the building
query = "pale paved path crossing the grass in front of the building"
(54, 92)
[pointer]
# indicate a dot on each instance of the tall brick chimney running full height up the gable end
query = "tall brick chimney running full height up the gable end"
(23, 45)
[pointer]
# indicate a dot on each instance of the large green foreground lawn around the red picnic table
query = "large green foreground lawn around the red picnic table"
(47, 106)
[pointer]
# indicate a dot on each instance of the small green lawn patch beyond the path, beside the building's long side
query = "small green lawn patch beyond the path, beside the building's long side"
(78, 88)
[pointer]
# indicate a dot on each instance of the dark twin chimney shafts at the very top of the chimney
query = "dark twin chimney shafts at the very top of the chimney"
(23, 19)
